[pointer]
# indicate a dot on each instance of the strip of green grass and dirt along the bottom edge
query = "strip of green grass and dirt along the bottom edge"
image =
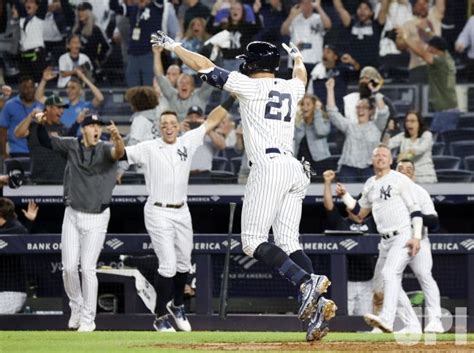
(139, 341)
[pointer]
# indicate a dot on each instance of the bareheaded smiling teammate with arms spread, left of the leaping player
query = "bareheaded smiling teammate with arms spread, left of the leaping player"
(166, 163)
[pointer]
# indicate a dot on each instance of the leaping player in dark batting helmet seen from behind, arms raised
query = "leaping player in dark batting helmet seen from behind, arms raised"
(277, 182)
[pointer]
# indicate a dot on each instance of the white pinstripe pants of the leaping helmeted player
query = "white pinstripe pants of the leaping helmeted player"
(273, 198)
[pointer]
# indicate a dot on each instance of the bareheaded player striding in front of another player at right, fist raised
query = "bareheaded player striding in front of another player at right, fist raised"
(398, 218)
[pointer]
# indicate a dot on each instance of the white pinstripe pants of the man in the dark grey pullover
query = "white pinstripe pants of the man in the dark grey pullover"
(82, 239)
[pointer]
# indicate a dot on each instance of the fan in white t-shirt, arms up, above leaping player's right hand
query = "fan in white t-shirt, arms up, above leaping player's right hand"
(306, 29)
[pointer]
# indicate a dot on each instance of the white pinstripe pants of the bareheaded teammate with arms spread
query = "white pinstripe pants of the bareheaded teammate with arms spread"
(171, 233)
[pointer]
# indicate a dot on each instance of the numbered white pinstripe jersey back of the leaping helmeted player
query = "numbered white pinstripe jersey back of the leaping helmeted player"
(268, 108)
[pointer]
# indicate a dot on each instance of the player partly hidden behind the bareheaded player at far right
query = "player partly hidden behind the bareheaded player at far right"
(422, 263)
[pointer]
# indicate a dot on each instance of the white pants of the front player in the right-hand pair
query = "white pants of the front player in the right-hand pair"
(393, 259)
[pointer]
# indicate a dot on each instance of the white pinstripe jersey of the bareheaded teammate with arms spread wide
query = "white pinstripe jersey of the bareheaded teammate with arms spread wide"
(166, 167)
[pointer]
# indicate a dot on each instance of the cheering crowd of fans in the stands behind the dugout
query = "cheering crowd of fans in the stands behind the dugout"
(97, 53)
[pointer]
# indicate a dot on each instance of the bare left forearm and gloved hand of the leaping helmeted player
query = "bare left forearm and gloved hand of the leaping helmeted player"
(195, 61)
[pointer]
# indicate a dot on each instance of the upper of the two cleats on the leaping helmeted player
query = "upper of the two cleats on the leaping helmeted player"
(311, 290)
